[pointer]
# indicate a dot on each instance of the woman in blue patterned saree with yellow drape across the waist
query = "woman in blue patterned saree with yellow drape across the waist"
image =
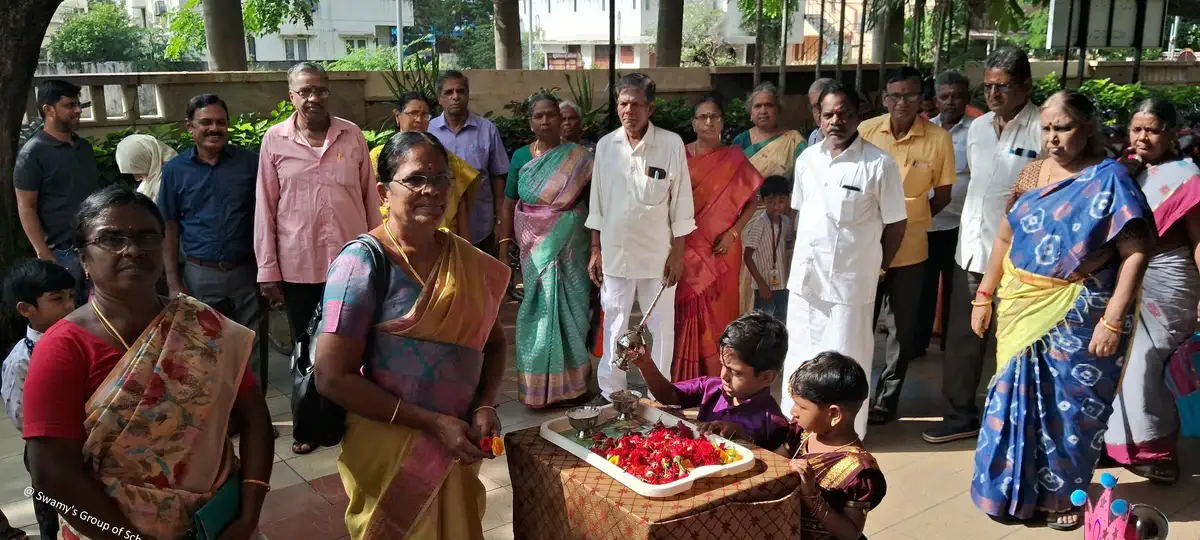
(1067, 269)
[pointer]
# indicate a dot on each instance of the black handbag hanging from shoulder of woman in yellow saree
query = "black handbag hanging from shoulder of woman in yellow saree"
(315, 418)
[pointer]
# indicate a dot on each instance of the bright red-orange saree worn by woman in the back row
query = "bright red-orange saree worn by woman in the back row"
(709, 297)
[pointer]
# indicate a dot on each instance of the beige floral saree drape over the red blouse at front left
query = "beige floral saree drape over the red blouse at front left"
(158, 425)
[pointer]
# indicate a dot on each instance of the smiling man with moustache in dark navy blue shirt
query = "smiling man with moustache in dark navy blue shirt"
(208, 200)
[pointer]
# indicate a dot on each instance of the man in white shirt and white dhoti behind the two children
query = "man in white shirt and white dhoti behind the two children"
(850, 224)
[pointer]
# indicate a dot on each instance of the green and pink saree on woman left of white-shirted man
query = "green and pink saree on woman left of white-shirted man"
(554, 361)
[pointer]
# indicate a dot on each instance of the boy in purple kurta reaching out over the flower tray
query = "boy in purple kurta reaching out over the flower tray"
(739, 405)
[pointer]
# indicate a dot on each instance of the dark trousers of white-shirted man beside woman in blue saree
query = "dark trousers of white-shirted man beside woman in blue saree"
(965, 352)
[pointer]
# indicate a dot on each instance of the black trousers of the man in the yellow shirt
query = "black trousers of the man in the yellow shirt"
(902, 287)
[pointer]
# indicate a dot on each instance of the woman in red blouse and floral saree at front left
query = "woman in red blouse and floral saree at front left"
(129, 399)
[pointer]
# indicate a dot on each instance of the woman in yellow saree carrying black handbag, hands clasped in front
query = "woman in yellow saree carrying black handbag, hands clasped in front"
(417, 367)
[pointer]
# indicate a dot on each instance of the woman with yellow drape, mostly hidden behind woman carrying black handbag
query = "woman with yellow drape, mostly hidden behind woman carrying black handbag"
(413, 113)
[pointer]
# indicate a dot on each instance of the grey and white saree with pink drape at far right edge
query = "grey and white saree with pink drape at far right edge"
(1145, 425)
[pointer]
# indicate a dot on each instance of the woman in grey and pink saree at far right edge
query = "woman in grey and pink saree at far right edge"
(1144, 427)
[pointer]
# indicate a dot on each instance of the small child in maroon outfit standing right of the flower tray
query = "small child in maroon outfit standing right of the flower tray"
(841, 482)
